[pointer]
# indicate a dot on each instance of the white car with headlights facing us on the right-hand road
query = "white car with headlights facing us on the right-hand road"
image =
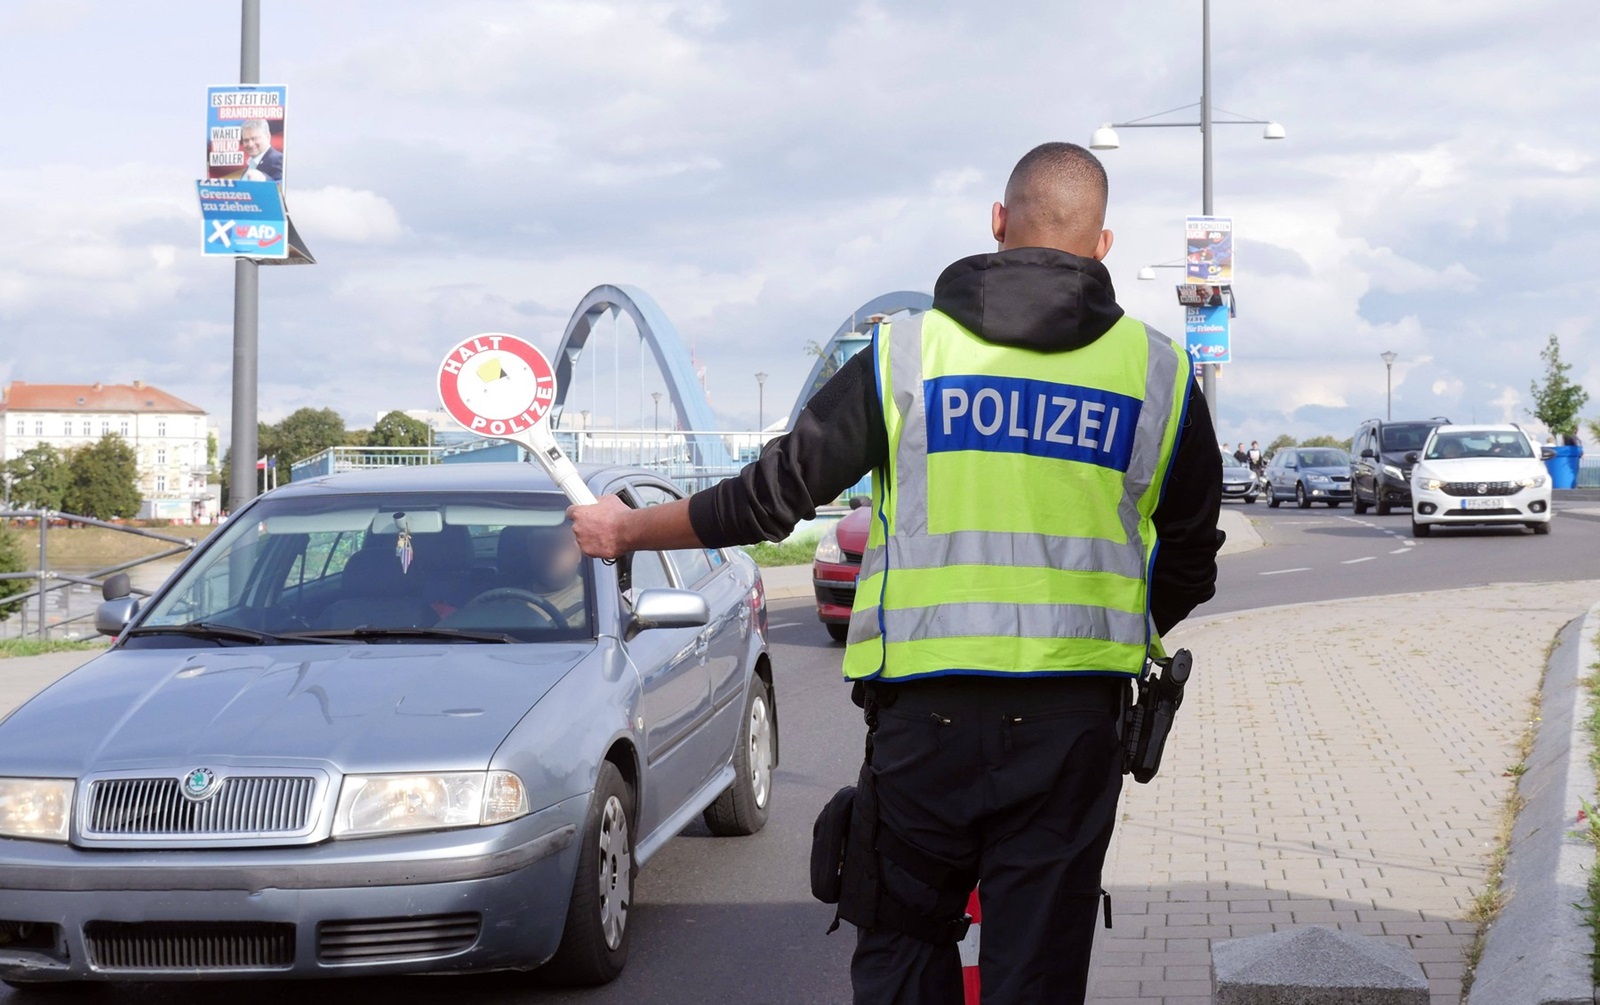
(1479, 474)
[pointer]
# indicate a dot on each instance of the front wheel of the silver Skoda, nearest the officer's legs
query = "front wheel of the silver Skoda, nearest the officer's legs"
(594, 943)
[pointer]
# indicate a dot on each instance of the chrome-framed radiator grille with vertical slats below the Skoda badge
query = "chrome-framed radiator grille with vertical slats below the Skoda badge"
(242, 806)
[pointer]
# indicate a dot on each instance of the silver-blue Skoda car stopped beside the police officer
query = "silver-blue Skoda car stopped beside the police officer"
(385, 723)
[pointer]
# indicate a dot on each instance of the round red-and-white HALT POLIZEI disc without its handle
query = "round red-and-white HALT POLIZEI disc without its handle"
(497, 385)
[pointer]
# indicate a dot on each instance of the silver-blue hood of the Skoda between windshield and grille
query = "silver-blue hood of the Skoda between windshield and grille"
(356, 708)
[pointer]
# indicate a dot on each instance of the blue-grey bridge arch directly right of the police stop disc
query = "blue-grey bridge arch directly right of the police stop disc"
(689, 399)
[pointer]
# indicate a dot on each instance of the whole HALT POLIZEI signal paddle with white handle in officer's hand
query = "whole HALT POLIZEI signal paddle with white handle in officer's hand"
(500, 386)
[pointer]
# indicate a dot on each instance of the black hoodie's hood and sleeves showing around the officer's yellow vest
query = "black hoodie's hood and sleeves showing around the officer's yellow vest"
(1031, 298)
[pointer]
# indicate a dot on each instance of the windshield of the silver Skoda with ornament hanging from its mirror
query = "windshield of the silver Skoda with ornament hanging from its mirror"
(385, 566)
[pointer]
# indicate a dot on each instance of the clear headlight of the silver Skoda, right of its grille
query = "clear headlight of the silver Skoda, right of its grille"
(383, 804)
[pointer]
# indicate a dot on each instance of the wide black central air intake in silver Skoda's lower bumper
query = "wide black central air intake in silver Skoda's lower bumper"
(190, 945)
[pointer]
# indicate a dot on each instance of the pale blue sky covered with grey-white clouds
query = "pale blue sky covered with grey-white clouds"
(764, 169)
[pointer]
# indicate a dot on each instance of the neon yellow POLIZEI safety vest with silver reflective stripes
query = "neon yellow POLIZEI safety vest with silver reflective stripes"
(1012, 532)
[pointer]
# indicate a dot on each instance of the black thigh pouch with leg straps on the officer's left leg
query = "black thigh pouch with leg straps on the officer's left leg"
(847, 843)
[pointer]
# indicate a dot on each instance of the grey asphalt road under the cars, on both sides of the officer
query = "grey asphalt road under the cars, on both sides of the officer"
(732, 919)
